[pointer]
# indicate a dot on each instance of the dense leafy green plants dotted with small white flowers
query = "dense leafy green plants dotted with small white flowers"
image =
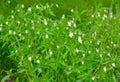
(80, 46)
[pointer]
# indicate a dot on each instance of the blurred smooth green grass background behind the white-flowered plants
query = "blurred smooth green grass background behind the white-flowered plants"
(7, 5)
